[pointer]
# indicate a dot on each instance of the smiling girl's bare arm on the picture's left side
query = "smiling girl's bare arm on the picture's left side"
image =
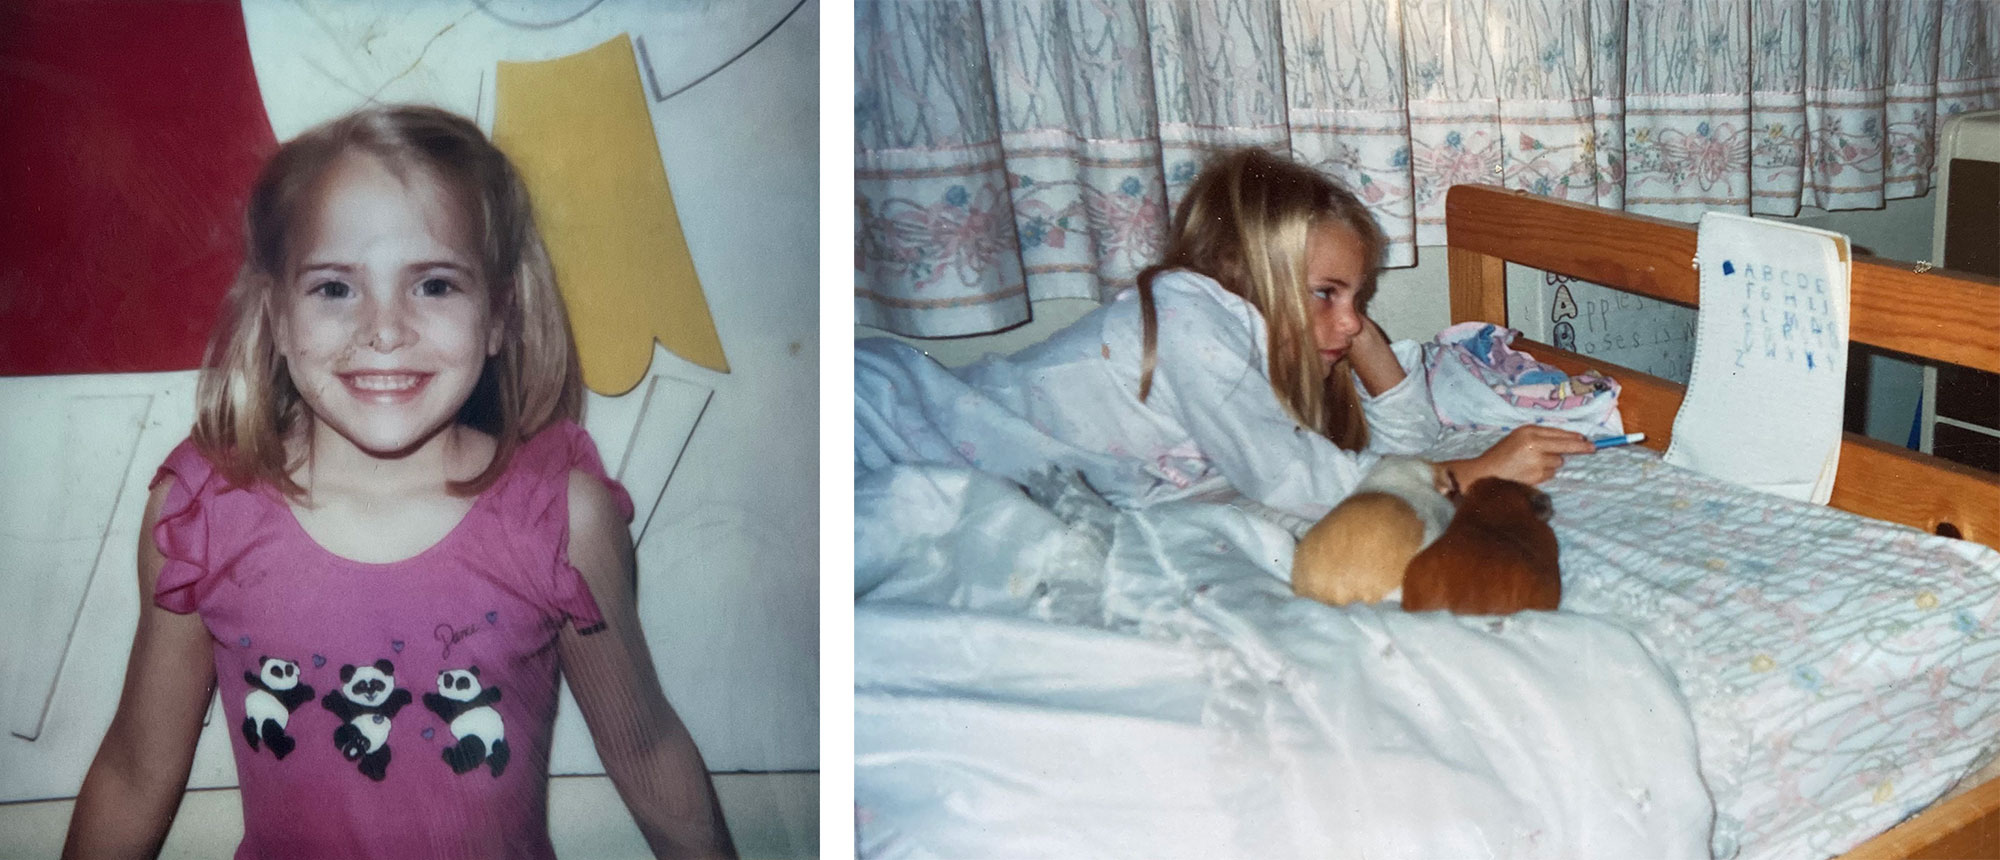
(137, 779)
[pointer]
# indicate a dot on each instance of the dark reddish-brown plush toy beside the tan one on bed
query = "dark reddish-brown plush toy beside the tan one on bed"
(1497, 557)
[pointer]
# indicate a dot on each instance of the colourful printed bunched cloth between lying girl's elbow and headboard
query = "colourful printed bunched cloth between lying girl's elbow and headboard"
(1481, 383)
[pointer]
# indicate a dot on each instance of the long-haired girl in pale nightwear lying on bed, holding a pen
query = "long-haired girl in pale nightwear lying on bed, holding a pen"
(1245, 359)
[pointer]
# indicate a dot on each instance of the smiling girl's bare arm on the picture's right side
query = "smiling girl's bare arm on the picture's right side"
(645, 747)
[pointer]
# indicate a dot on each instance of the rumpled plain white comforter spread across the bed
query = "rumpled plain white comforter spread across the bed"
(1049, 677)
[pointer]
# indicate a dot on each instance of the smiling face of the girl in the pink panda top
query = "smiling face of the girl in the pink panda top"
(383, 319)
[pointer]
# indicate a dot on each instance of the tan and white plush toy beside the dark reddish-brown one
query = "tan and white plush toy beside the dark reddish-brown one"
(1357, 551)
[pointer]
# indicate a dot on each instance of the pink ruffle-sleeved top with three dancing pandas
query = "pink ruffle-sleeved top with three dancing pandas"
(387, 711)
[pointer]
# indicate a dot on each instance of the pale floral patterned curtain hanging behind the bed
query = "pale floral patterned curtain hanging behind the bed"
(1011, 151)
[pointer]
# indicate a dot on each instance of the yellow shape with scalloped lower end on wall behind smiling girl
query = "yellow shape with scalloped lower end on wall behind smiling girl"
(579, 133)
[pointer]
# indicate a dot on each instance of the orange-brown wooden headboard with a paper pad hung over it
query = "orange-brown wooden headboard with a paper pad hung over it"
(1939, 315)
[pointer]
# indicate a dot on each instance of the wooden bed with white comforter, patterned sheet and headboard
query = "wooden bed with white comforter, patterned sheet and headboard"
(1733, 675)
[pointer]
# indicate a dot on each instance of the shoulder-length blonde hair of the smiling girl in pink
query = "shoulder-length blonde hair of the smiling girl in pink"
(247, 407)
